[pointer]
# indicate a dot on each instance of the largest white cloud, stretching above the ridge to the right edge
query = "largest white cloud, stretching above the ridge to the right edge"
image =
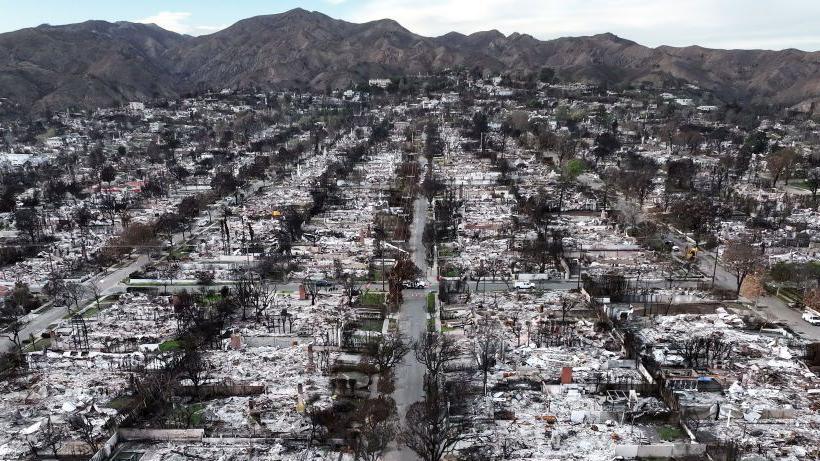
(650, 22)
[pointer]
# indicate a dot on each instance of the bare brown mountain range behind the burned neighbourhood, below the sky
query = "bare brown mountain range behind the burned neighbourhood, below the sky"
(98, 63)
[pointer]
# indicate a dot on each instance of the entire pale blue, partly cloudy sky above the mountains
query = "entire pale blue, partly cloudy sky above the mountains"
(712, 23)
